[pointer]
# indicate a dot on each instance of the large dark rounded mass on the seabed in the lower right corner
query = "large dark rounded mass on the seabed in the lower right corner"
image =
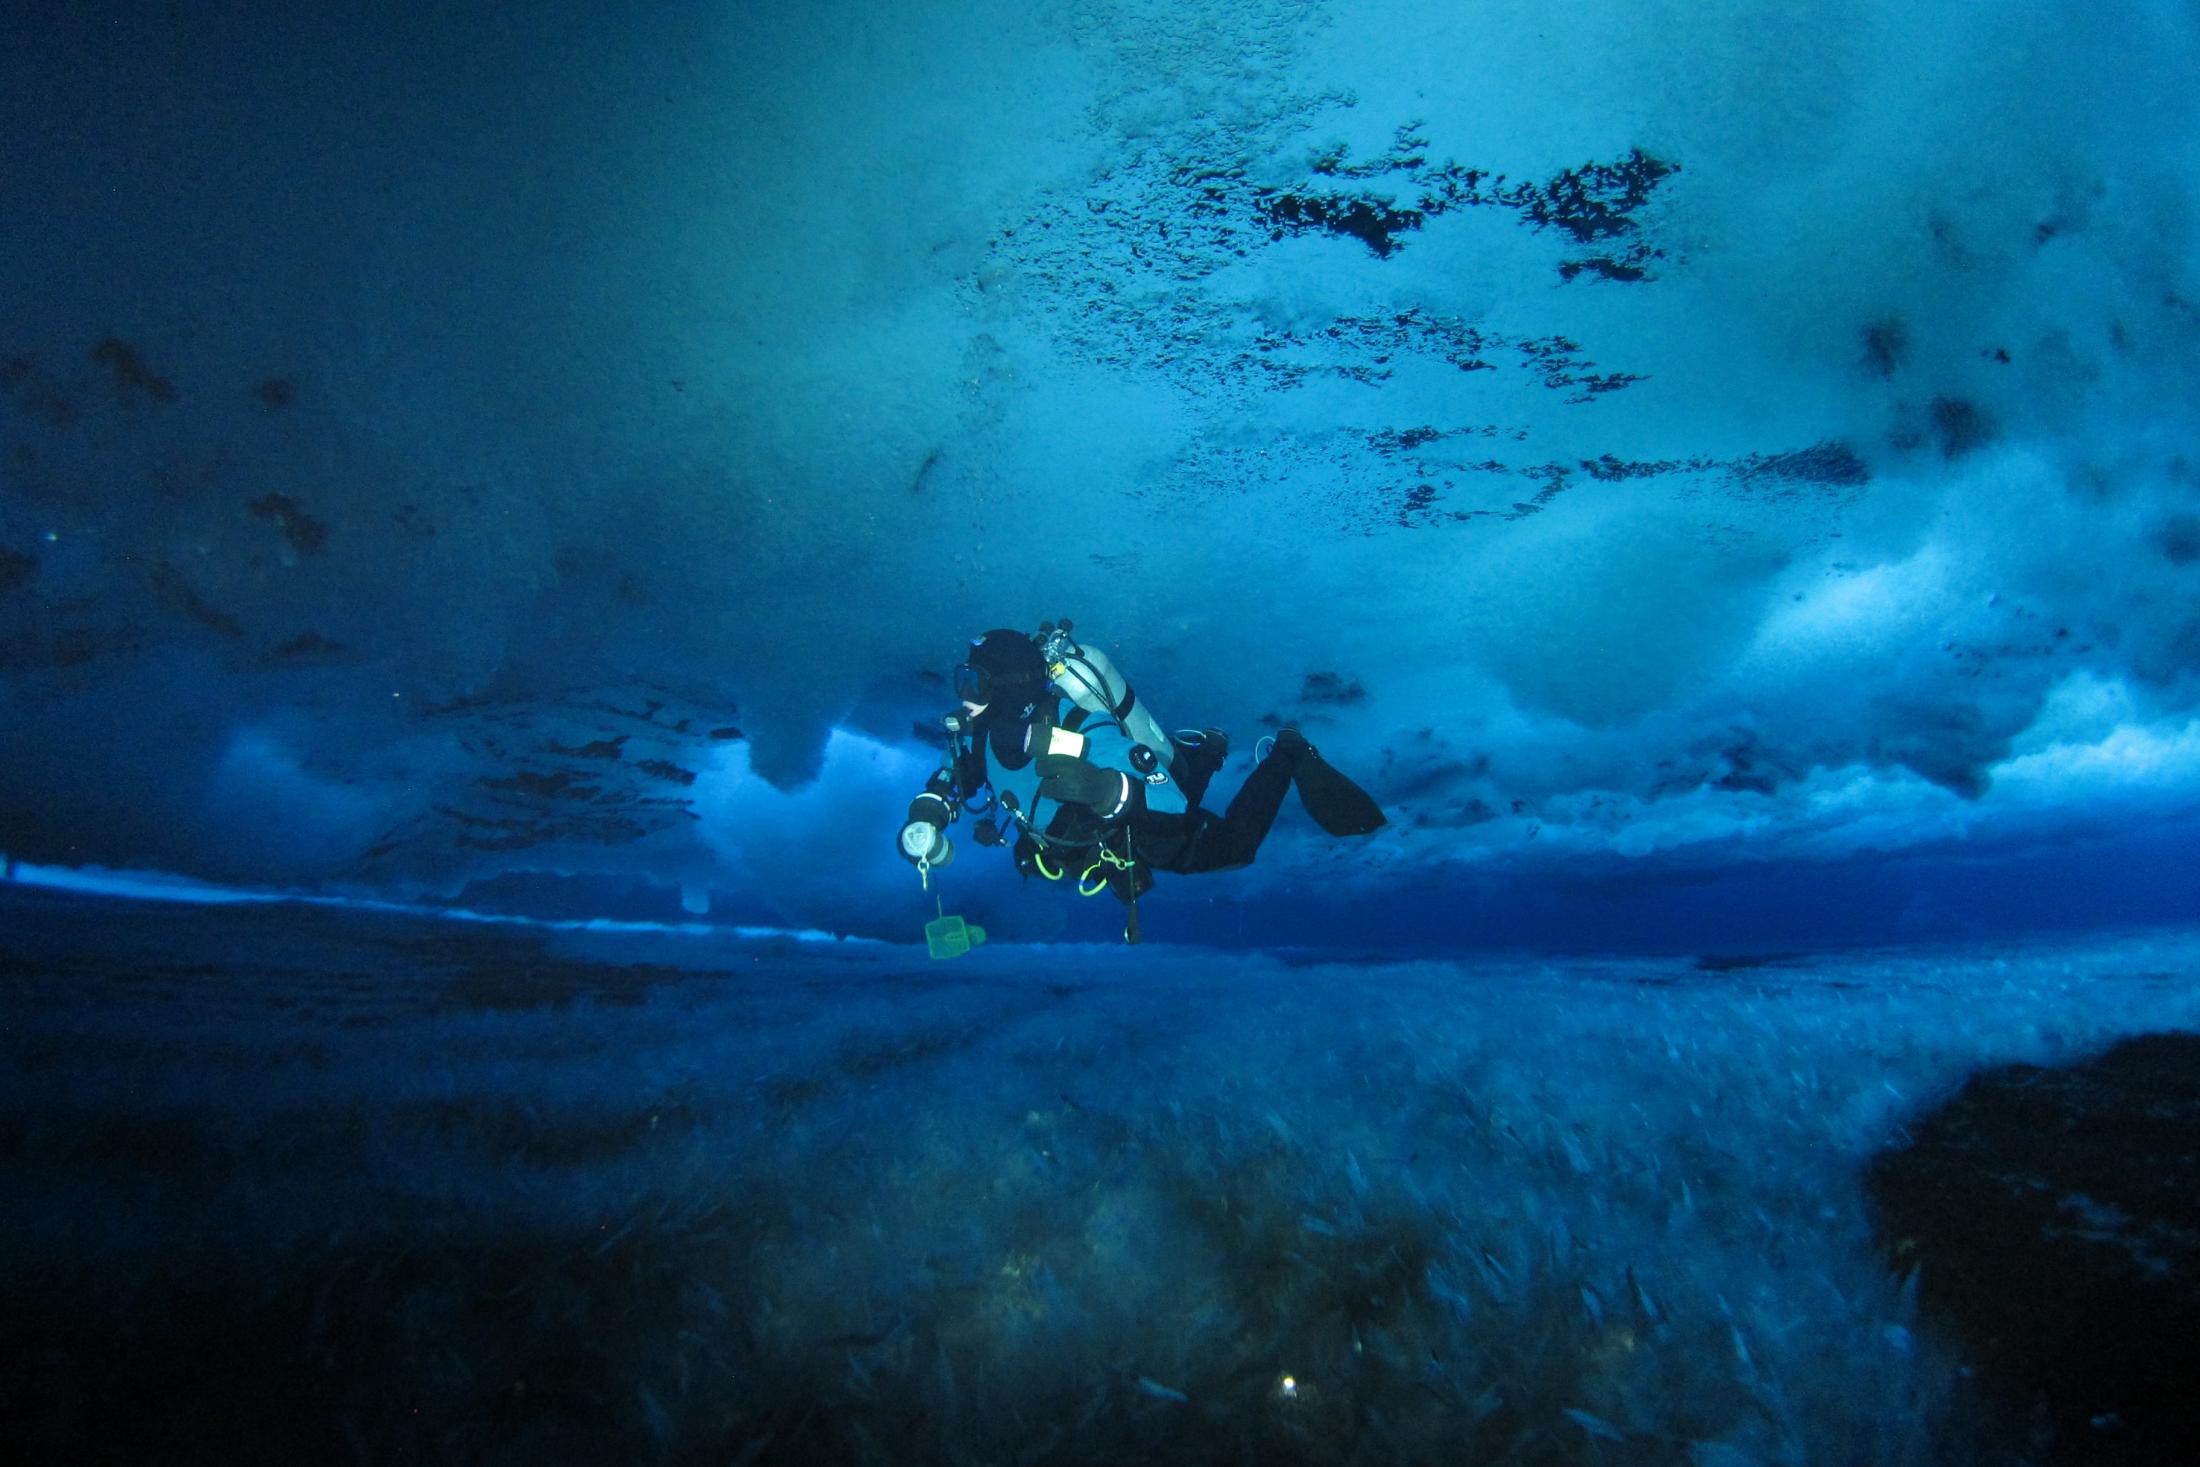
(2054, 1224)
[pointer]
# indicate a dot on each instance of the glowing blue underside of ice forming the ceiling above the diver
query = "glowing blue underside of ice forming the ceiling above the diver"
(1638, 441)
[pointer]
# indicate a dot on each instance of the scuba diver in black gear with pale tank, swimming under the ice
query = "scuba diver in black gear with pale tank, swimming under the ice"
(1103, 791)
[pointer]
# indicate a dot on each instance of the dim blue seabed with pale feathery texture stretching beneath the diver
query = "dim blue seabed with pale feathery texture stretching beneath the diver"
(313, 1184)
